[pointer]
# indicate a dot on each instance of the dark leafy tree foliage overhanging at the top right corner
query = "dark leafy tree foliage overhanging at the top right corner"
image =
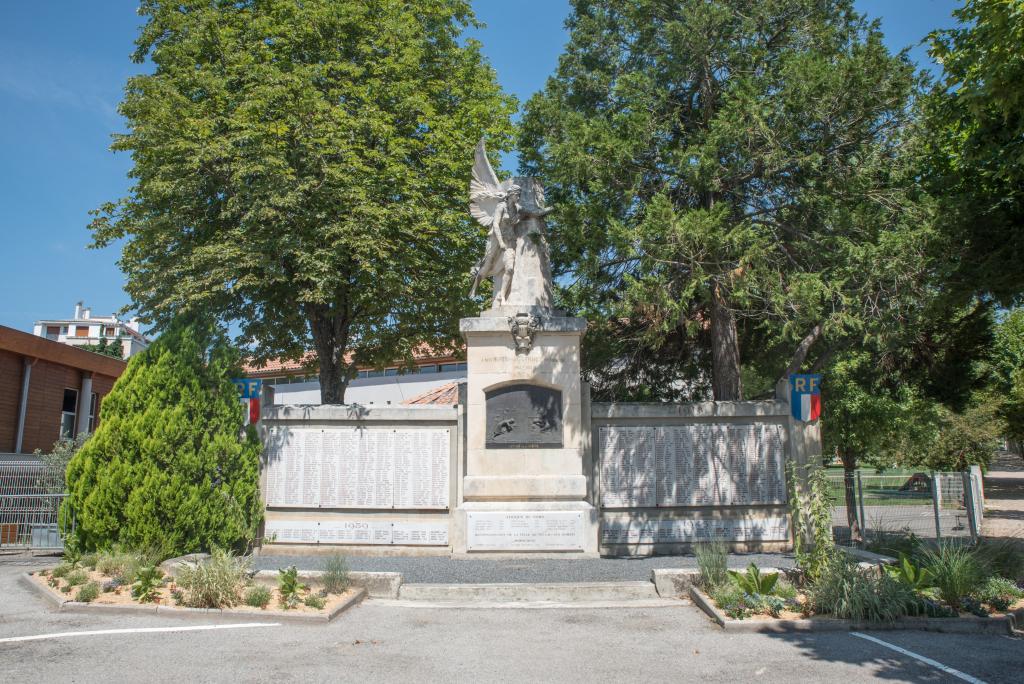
(975, 117)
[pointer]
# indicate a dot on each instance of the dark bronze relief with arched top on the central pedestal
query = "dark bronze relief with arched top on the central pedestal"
(525, 417)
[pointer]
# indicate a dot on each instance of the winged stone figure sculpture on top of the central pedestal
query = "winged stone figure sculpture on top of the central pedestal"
(498, 206)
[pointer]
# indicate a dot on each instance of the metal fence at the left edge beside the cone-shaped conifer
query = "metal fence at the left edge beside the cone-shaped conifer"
(30, 498)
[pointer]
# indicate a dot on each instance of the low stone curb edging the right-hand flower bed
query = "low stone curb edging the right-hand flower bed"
(1003, 625)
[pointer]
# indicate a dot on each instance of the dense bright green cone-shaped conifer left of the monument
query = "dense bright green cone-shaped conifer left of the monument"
(170, 466)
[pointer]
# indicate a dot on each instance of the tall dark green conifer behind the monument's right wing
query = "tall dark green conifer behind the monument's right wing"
(728, 170)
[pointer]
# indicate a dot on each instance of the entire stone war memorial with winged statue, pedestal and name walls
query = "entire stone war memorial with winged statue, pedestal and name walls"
(526, 463)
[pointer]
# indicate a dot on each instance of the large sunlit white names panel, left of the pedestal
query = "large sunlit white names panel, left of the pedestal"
(348, 467)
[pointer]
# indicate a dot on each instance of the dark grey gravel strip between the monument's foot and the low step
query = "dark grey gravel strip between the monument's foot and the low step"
(476, 571)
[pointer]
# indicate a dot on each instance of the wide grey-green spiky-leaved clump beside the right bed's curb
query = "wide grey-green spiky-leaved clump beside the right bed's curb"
(845, 591)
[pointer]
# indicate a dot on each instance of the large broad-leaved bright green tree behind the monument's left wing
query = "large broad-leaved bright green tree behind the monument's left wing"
(301, 169)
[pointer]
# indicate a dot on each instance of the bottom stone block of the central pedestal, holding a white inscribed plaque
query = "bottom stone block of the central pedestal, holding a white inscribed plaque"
(528, 528)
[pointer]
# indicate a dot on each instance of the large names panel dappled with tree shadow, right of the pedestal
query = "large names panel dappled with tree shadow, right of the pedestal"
(692, 465)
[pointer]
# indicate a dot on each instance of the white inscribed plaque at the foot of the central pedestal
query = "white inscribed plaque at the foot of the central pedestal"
(525, 531)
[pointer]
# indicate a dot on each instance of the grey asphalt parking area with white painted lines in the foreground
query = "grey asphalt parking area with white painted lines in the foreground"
(385, 643)
